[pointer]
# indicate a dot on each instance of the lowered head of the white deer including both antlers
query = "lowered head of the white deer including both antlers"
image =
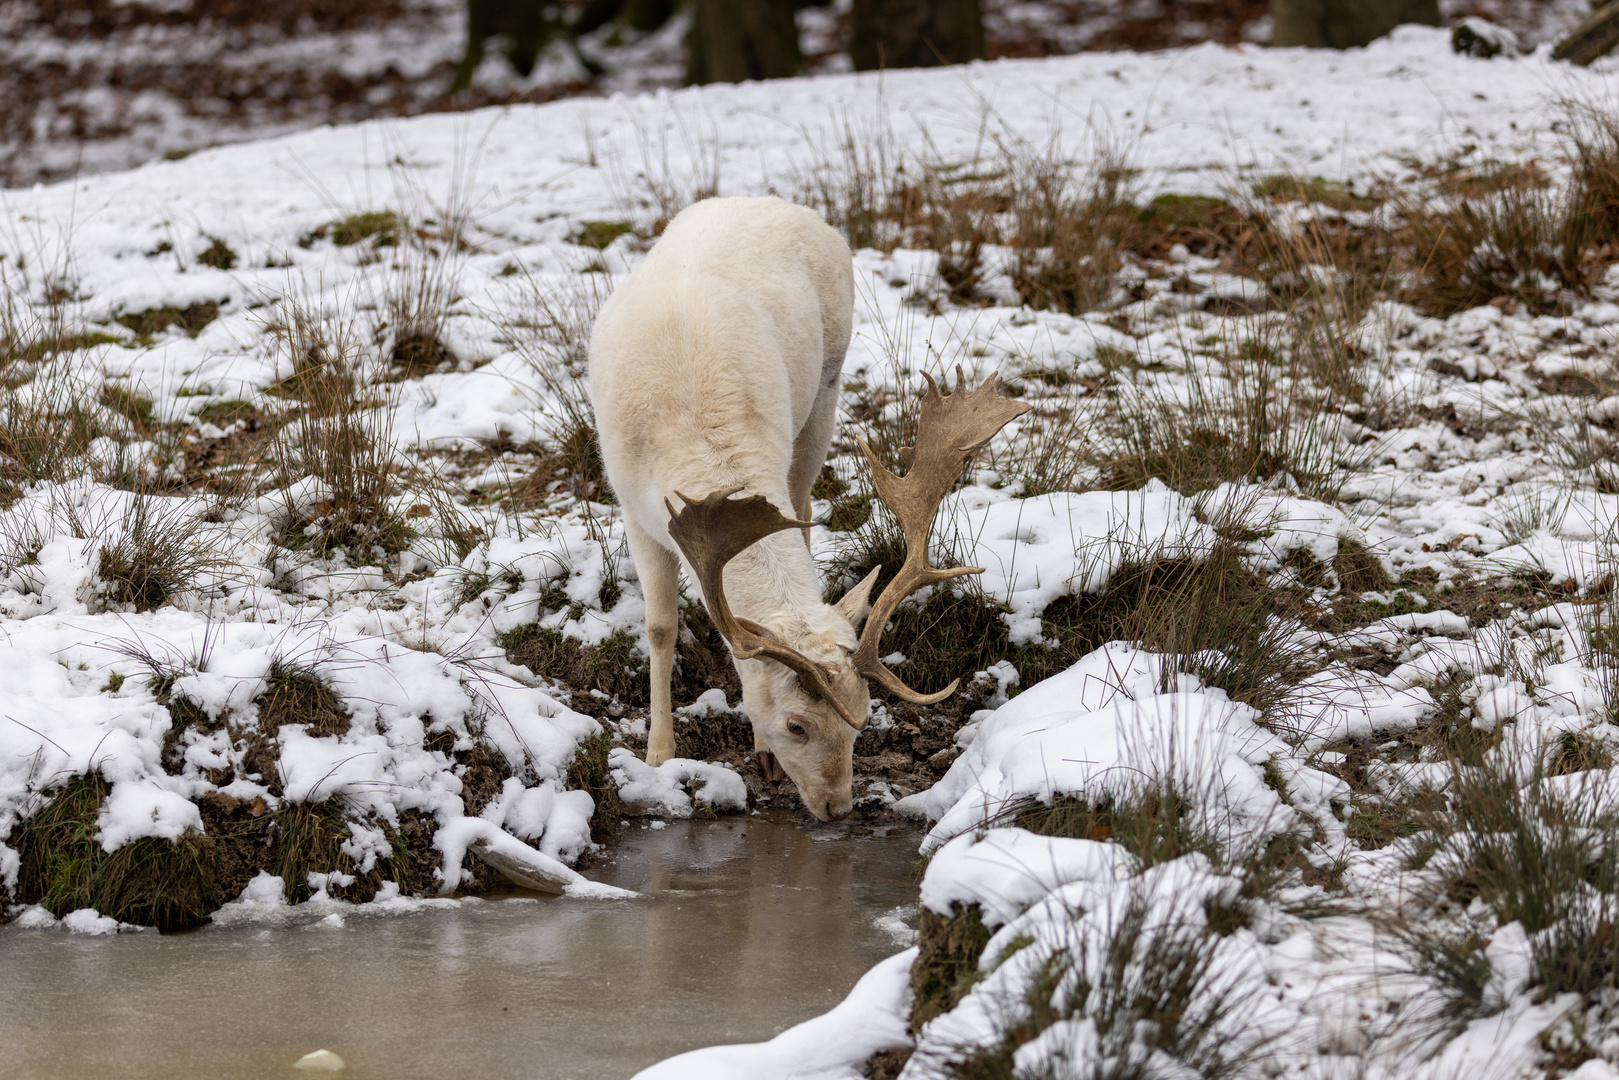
(805, 687)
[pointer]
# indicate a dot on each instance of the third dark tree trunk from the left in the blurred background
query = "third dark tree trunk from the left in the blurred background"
(916, 33)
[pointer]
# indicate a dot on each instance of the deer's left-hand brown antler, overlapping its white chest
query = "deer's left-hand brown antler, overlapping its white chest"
(715, 530)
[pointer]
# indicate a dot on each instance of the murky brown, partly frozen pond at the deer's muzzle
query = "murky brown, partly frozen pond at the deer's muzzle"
(746, 927)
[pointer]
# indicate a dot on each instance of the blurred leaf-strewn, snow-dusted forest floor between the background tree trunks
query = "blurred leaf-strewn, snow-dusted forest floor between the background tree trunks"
(106, 85)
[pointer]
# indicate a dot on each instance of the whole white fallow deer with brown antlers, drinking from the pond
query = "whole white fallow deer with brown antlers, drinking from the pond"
(715, 376)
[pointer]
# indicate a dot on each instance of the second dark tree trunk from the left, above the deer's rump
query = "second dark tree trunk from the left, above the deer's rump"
(742, 40)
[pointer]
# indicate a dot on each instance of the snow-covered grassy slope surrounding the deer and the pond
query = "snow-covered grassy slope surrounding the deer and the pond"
(1461, 485)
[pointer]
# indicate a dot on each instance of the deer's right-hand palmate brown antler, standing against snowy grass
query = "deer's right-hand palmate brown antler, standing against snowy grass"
(951, 432)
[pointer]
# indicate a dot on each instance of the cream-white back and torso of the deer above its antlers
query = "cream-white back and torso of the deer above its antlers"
(707, 362)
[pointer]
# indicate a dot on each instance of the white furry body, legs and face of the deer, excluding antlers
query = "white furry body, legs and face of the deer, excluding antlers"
(718, 365)
